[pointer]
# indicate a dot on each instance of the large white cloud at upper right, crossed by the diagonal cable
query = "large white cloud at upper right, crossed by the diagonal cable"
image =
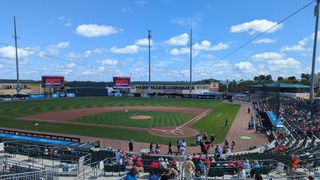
(255, 26)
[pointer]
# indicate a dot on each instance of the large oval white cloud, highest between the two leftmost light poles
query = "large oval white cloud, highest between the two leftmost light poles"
(95, 30)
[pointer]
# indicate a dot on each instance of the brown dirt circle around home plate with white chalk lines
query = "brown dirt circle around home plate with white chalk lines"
(173, 132)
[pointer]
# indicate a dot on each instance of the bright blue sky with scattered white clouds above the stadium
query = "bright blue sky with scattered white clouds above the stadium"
(96, 39)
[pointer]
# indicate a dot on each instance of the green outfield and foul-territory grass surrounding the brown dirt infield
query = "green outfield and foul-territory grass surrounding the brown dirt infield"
(213, 122)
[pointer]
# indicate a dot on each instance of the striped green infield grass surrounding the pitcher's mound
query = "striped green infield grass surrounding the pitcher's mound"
(121, 118)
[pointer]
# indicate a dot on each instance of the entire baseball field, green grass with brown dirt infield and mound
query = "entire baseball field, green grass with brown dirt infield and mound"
(140, 119)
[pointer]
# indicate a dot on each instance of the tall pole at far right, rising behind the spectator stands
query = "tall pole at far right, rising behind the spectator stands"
(316, 13)
